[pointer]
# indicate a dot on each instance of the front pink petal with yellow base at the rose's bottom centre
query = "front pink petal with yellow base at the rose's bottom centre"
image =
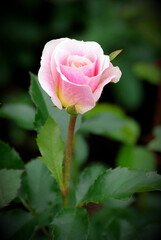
(73, 94)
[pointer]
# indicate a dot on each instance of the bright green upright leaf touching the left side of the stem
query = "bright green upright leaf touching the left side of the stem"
(52, 148)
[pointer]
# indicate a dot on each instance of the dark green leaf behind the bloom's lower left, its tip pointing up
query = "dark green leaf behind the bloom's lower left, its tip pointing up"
(45, 109)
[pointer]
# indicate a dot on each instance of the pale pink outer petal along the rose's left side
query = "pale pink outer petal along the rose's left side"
(47, 82)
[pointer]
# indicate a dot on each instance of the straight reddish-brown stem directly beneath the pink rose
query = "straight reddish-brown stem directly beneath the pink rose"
(67, 162)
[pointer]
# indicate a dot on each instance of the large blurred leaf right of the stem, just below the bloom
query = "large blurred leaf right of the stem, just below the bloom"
(111, 121)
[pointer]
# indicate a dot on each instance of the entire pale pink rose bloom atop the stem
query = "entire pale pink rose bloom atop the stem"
(73, 73)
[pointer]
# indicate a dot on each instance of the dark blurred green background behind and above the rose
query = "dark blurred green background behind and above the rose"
(134, 26)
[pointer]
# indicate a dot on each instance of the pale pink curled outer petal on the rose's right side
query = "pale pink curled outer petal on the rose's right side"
(110, 74)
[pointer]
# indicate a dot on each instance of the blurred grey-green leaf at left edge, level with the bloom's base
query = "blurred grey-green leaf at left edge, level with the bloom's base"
(22, 114)
